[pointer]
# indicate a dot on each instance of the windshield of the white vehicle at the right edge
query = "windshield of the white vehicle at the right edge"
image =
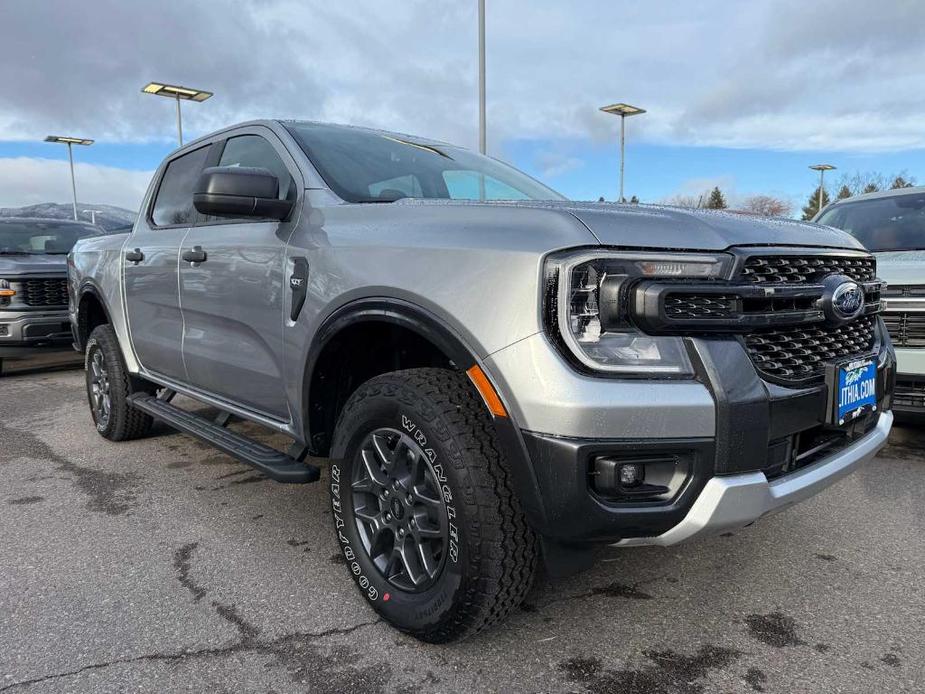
(896, 223)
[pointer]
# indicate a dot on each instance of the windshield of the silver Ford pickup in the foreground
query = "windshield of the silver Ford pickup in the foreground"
(368, 166)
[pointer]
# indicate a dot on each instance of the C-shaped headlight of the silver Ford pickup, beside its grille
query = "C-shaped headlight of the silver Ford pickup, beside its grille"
(587, 305)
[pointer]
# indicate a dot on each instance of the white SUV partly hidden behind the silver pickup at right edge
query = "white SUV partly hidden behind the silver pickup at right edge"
(892, 225)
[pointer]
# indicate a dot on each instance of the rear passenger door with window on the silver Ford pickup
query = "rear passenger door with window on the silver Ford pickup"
(150, 263)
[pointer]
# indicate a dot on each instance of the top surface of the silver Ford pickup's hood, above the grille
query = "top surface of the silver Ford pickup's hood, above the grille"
(654, 226)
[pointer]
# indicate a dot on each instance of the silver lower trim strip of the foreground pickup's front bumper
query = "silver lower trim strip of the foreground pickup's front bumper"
(734, 501)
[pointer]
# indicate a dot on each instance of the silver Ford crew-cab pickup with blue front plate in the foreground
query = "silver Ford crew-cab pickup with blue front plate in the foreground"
(491, 374)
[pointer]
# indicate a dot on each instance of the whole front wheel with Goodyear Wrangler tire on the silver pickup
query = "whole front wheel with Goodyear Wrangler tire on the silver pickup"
(424, 508)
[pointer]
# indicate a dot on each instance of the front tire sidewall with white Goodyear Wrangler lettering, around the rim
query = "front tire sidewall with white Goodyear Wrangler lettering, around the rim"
(409, 611)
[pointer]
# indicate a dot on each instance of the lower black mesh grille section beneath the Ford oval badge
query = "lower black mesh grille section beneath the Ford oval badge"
(798, 354)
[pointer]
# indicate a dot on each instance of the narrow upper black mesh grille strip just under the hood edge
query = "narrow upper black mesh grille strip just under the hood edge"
(806, 269)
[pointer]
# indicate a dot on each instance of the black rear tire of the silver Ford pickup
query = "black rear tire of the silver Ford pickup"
(123, 422)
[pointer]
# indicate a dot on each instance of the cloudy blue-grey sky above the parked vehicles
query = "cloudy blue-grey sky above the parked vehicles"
(743, 95)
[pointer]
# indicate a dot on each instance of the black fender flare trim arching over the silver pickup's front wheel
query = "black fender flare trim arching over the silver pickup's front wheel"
(430, 327)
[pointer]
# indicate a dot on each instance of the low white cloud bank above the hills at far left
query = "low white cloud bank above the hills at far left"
(26, 181)
